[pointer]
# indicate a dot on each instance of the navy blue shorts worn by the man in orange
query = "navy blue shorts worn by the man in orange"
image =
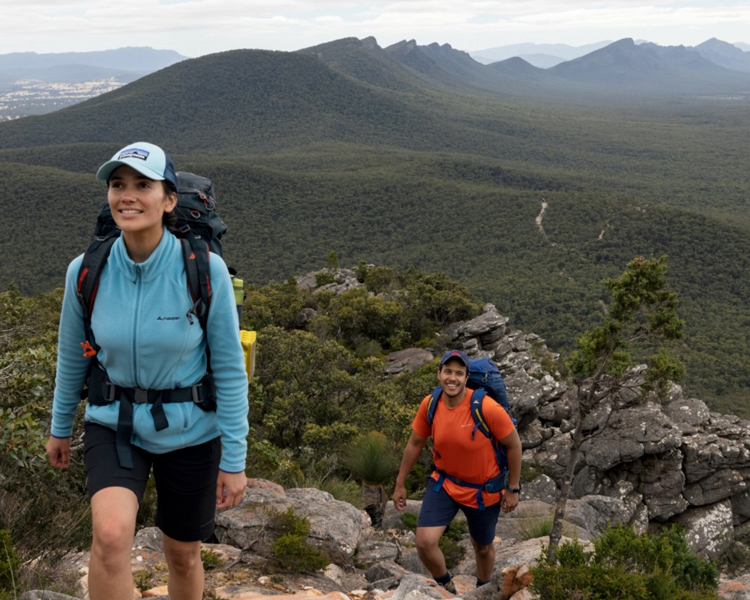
(439, 509)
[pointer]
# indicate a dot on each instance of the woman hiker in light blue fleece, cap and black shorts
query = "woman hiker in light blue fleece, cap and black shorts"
(151, 404)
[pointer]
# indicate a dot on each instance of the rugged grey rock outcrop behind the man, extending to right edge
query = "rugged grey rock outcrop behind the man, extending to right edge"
(650, 462)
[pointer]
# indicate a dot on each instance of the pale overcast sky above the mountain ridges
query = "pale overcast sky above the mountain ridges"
(198, 27)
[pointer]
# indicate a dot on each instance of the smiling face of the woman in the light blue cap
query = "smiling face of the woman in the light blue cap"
(137, 202)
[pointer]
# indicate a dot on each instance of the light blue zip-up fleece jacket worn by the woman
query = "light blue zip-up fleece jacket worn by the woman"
(140, 323)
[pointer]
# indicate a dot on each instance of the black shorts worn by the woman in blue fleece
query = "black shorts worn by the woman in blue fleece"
(185, 480)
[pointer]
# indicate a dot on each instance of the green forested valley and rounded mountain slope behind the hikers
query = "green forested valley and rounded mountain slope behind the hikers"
(393, 156)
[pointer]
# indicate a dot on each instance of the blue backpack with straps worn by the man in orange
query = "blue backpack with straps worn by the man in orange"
(485, 380)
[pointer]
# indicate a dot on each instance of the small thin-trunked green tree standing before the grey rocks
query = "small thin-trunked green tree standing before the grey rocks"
(642, 314)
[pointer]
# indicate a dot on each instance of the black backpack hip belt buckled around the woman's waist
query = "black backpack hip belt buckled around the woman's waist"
(102, 392)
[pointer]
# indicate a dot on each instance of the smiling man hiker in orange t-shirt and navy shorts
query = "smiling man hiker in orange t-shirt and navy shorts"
(467, 466)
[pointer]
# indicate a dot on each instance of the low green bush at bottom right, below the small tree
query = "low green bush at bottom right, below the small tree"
(626, 566)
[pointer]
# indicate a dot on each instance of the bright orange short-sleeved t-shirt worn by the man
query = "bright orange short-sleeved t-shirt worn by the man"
(454, 450)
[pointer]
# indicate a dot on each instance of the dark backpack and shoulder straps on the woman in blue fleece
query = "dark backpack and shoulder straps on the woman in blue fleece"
(200, 230)
